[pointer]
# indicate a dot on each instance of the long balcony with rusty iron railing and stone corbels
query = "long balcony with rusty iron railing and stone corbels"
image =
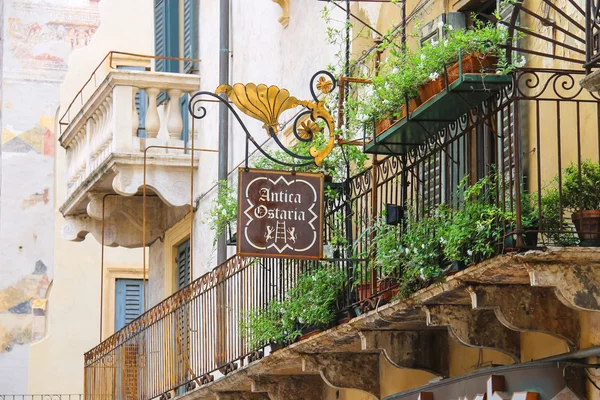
(192, 341)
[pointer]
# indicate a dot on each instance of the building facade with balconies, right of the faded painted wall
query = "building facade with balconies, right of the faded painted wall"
(137, 169)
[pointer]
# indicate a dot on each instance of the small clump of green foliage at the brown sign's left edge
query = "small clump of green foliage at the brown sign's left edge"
(223, 211)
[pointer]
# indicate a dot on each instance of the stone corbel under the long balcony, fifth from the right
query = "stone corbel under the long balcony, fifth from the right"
(346, 370)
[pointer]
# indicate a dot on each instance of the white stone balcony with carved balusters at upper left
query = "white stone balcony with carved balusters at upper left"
(115, 141)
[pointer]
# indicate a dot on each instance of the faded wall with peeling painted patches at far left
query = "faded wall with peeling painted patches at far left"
(37, 38)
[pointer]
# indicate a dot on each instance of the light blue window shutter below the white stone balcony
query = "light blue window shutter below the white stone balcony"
(129, 301)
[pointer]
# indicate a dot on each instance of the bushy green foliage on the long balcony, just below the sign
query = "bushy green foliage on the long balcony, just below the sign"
(311, 302)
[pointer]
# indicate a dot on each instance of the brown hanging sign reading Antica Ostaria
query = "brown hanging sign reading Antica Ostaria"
(280, 214)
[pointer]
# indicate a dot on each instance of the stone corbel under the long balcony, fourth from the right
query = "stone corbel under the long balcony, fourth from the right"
(424, 349)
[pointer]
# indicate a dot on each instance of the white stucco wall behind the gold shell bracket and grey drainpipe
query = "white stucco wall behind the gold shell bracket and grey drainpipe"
(262, 51)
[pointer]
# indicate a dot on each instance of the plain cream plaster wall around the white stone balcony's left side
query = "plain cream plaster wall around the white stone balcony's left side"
(73, 324)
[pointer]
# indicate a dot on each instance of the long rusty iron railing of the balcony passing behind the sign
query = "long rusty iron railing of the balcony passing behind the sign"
(525, 135)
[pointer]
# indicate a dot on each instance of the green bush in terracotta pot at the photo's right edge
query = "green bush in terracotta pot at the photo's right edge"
(581, 196)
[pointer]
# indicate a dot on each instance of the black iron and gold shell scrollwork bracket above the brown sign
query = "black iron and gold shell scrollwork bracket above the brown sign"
(267, 103)
